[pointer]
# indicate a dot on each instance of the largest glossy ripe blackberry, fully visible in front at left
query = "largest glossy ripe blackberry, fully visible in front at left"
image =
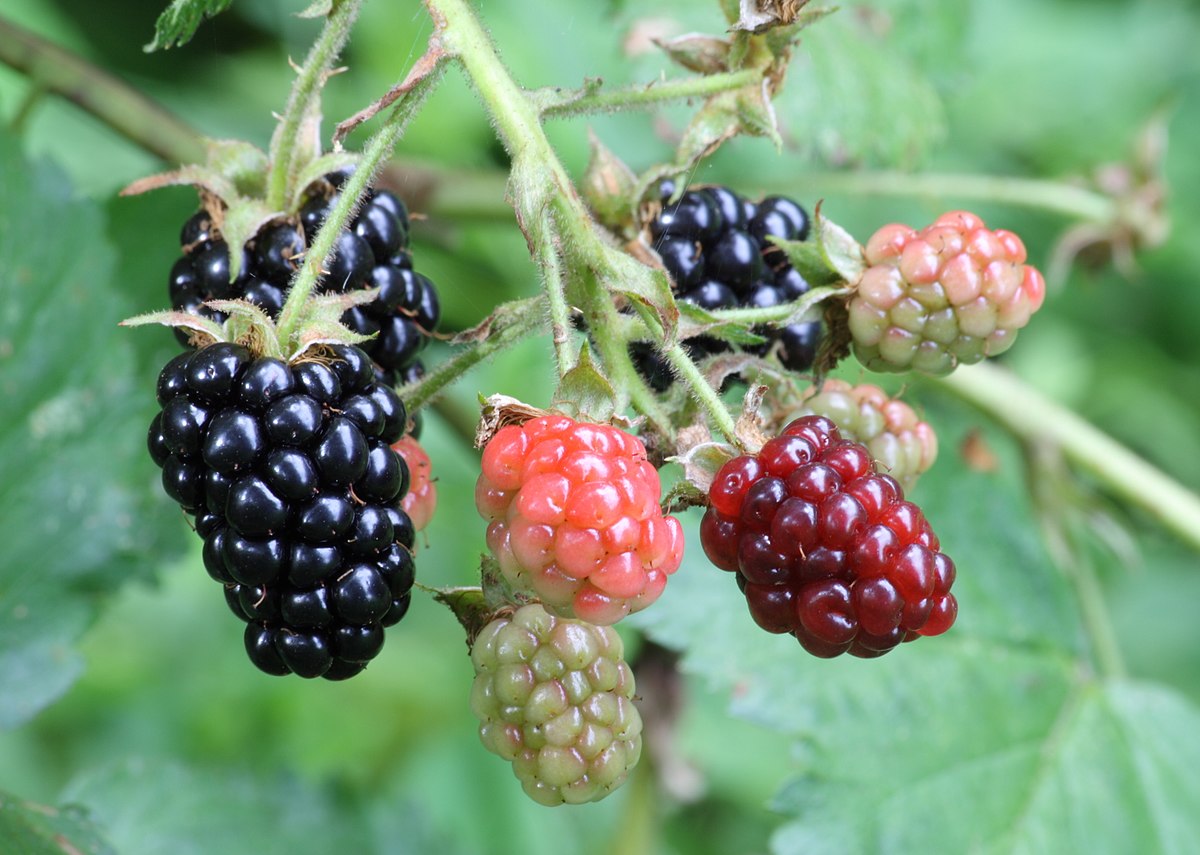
(297, 492)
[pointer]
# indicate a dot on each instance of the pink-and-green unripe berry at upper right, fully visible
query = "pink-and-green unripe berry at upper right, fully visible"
(949, 295)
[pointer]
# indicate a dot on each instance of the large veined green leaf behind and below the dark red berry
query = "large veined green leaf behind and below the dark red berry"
(999, 737)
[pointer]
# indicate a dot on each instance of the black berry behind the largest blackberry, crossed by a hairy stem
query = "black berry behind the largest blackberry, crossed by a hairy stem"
(371, 254)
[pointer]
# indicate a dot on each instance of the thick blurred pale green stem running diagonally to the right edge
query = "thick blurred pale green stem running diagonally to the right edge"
(1031, 416)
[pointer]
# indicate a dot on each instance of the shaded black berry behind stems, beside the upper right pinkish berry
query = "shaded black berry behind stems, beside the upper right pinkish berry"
(713, 244)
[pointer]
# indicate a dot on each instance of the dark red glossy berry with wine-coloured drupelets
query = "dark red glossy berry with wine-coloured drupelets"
(825, 548)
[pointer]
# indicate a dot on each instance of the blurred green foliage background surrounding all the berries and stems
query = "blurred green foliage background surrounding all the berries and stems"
(123, 684)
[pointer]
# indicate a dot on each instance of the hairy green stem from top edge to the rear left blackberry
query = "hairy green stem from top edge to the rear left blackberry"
(304, 100)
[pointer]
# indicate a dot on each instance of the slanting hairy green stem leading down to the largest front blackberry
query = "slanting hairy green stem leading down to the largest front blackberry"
(379, 148)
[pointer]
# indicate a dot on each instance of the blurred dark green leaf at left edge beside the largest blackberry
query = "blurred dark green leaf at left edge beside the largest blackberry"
(81, 512)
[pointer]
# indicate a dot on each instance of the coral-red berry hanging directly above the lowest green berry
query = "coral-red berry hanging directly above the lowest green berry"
(574, 518)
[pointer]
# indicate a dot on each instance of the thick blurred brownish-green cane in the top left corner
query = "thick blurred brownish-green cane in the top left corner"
(111, 100)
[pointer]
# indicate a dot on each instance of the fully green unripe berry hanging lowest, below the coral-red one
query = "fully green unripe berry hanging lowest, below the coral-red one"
(555, 697)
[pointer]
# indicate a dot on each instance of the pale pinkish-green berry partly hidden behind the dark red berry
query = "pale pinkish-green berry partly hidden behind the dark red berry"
(902, 445)
